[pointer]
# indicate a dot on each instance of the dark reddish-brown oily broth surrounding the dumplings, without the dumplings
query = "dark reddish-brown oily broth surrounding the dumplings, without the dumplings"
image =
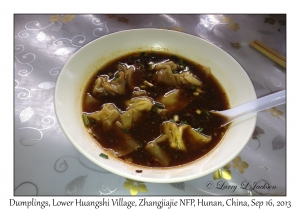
(149, 126)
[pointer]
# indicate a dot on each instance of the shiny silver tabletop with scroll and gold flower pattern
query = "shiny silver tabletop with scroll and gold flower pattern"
(46, 163)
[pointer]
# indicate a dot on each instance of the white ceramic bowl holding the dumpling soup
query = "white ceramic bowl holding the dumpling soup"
(74, 75)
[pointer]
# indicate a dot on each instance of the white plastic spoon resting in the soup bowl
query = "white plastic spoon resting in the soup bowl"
(254, 106)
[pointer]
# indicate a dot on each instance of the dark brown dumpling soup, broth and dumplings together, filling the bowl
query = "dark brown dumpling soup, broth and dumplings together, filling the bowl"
(152, 109)
